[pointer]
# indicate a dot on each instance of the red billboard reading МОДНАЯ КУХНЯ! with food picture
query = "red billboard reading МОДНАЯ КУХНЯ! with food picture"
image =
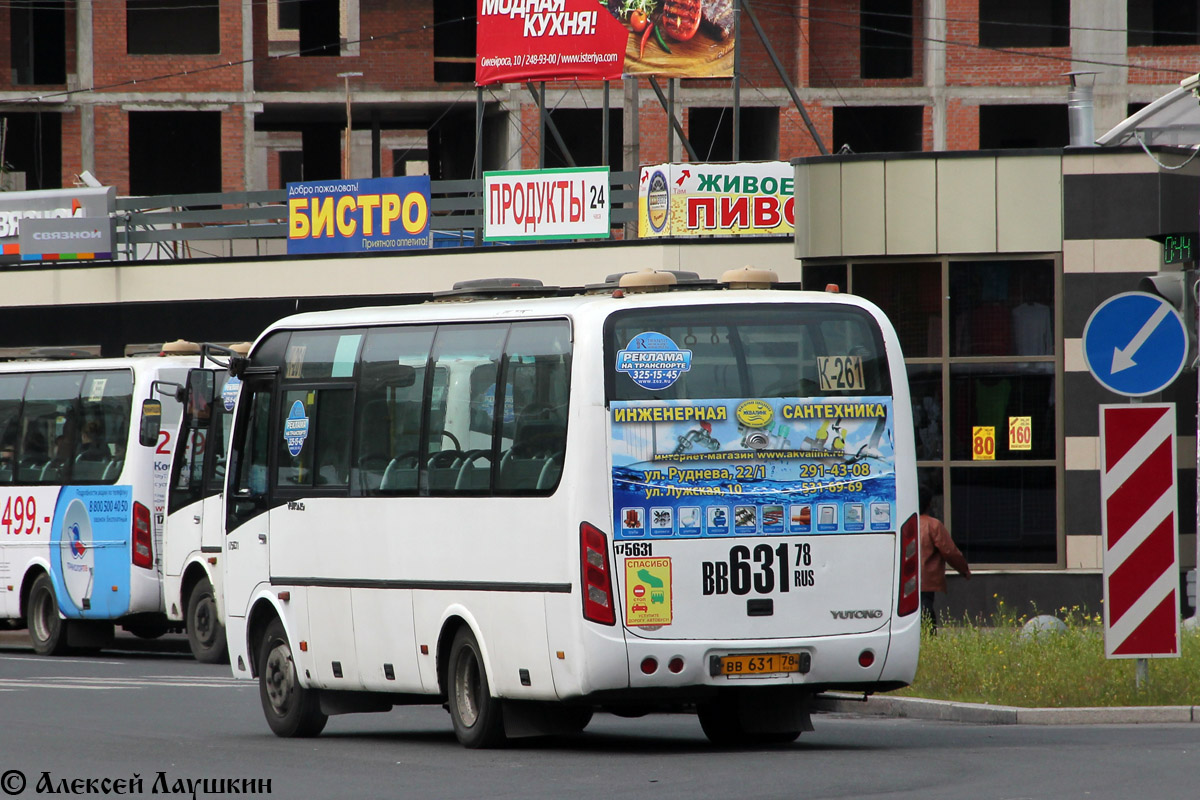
(591, 40)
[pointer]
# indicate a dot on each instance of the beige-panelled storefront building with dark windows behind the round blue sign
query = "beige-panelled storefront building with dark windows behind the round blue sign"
(989, 264)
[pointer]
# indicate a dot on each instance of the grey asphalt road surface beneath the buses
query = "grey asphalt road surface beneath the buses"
(147, 708)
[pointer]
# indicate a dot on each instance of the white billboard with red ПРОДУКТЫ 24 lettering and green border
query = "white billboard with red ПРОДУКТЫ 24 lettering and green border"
(547, 204)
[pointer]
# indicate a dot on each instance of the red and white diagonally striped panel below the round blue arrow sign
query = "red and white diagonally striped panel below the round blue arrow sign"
(1141, 524)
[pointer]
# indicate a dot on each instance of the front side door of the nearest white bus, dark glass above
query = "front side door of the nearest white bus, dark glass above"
(248, 522)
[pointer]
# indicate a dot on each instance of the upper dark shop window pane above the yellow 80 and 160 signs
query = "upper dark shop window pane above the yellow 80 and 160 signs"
(1003, 309)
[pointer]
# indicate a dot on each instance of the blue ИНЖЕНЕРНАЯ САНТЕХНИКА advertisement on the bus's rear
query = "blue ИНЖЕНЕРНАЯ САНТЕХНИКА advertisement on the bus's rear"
(753, 467)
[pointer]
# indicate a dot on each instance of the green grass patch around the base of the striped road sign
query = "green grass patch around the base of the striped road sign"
(992, 663)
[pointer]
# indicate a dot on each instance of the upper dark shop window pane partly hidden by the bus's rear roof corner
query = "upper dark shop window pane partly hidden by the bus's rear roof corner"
(911, 297)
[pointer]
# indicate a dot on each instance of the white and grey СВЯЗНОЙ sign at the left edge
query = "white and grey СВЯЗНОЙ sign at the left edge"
(92, 206)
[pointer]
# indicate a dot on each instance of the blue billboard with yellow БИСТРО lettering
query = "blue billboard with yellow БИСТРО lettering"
(359, 215)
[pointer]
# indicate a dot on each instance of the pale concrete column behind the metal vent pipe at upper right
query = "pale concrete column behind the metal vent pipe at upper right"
(1099, 34)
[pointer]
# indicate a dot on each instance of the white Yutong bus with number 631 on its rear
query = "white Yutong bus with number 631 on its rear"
(535, 508)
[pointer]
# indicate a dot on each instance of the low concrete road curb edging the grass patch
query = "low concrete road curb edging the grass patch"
(916, 708)
